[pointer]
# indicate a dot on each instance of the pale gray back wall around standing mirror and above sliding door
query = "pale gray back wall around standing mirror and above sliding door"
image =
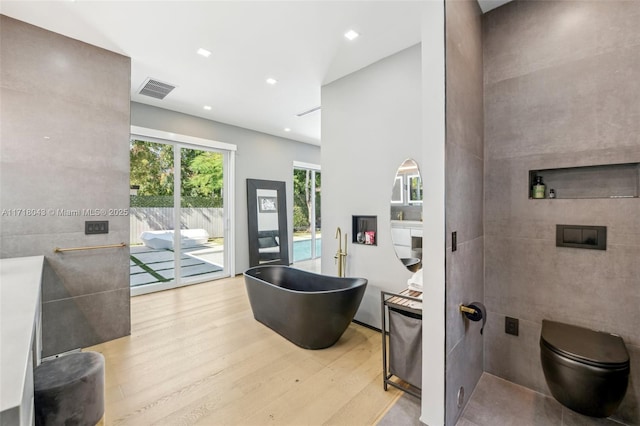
(259, 156)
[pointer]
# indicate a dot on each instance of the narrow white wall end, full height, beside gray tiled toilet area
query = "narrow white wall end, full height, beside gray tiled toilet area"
(433, 242)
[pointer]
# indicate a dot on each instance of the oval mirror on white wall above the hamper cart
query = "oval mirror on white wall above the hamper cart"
(406, 215)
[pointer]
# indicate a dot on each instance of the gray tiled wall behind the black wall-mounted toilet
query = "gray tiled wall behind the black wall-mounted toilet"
(561, 89)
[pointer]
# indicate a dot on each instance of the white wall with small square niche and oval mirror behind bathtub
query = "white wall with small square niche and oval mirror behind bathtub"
(370, 125)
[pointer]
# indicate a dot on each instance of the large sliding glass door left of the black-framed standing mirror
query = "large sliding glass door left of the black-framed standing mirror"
(179, 214)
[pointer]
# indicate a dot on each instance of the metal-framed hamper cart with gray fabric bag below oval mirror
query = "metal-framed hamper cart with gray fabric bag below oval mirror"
(402, 344)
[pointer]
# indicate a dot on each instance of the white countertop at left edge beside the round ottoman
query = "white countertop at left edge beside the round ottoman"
(20, 280)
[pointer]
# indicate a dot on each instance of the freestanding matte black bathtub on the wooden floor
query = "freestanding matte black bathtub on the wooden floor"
(308, 309)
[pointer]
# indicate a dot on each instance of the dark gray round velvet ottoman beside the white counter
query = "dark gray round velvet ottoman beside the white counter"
(70, 390)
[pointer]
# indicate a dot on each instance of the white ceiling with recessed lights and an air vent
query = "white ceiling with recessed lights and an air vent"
(300, 44)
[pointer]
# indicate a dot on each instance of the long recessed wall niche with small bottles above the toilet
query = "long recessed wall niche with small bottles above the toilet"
(600, 181)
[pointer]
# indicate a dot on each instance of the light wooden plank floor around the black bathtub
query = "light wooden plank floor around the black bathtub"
(196, 356)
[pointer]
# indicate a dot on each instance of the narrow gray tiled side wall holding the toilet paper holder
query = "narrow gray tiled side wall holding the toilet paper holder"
(464, 199)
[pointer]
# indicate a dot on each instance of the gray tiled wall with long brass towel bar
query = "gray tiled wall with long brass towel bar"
(65, 146)
